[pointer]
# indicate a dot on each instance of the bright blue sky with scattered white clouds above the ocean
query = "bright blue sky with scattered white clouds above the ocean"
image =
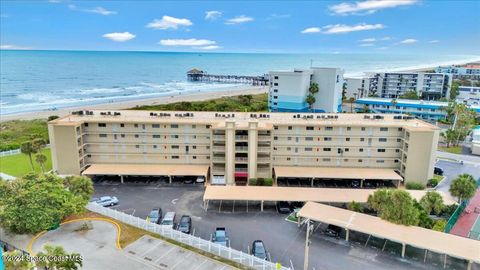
(368, 26)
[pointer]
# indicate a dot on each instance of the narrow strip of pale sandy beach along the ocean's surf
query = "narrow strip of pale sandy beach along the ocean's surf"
(248, 90)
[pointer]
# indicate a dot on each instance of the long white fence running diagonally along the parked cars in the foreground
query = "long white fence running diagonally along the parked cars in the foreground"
(193, 241)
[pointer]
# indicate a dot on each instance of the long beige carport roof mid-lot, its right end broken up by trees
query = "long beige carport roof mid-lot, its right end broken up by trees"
(299, 194)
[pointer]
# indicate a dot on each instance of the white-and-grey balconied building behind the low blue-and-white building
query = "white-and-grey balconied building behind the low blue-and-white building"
(428, 86)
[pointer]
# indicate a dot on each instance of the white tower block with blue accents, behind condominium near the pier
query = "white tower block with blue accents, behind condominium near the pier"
(289, 90)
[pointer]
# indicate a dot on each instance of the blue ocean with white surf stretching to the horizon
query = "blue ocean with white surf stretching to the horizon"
(50, 80)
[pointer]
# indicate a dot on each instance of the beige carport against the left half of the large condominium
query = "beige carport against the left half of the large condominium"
(146, 170)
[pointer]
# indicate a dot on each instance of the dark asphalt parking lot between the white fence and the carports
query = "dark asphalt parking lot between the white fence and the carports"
(283, 239)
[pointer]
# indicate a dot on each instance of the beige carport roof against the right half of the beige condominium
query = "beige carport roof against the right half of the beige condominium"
(334, 172)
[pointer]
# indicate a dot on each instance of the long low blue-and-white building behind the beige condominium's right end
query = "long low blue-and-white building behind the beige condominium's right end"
(425, 110)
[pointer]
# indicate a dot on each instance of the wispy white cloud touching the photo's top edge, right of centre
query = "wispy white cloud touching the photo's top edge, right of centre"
(368, 6)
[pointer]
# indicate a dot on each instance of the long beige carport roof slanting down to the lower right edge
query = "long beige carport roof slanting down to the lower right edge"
(439, 242)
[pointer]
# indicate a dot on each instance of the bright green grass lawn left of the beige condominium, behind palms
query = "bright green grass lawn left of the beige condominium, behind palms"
(18, 165)
